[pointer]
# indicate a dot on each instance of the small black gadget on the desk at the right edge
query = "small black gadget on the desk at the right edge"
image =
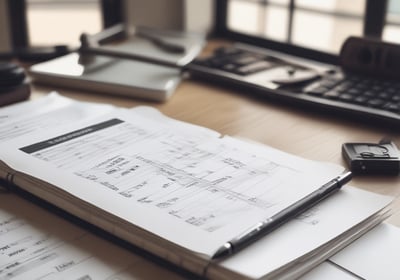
(381, 158)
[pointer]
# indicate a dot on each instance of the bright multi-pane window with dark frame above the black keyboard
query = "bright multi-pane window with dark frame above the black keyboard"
(308, 27)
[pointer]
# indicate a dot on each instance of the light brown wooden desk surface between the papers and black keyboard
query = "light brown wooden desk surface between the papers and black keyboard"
(239, 113)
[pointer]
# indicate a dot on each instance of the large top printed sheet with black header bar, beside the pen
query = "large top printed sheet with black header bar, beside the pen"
(182, 181)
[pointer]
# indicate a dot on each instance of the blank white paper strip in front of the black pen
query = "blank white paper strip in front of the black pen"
(322, 223)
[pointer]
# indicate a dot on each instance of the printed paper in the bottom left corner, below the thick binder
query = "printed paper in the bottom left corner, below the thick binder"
(34, 244)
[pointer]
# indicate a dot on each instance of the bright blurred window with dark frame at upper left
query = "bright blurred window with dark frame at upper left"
(63, 20)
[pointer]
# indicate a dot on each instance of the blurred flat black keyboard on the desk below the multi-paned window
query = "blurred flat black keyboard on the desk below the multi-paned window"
(301, 82)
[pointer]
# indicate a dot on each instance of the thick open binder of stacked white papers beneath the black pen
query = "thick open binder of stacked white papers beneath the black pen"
(178, 190)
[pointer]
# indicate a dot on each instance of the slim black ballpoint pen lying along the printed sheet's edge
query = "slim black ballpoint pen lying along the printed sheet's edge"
(264, 227)
